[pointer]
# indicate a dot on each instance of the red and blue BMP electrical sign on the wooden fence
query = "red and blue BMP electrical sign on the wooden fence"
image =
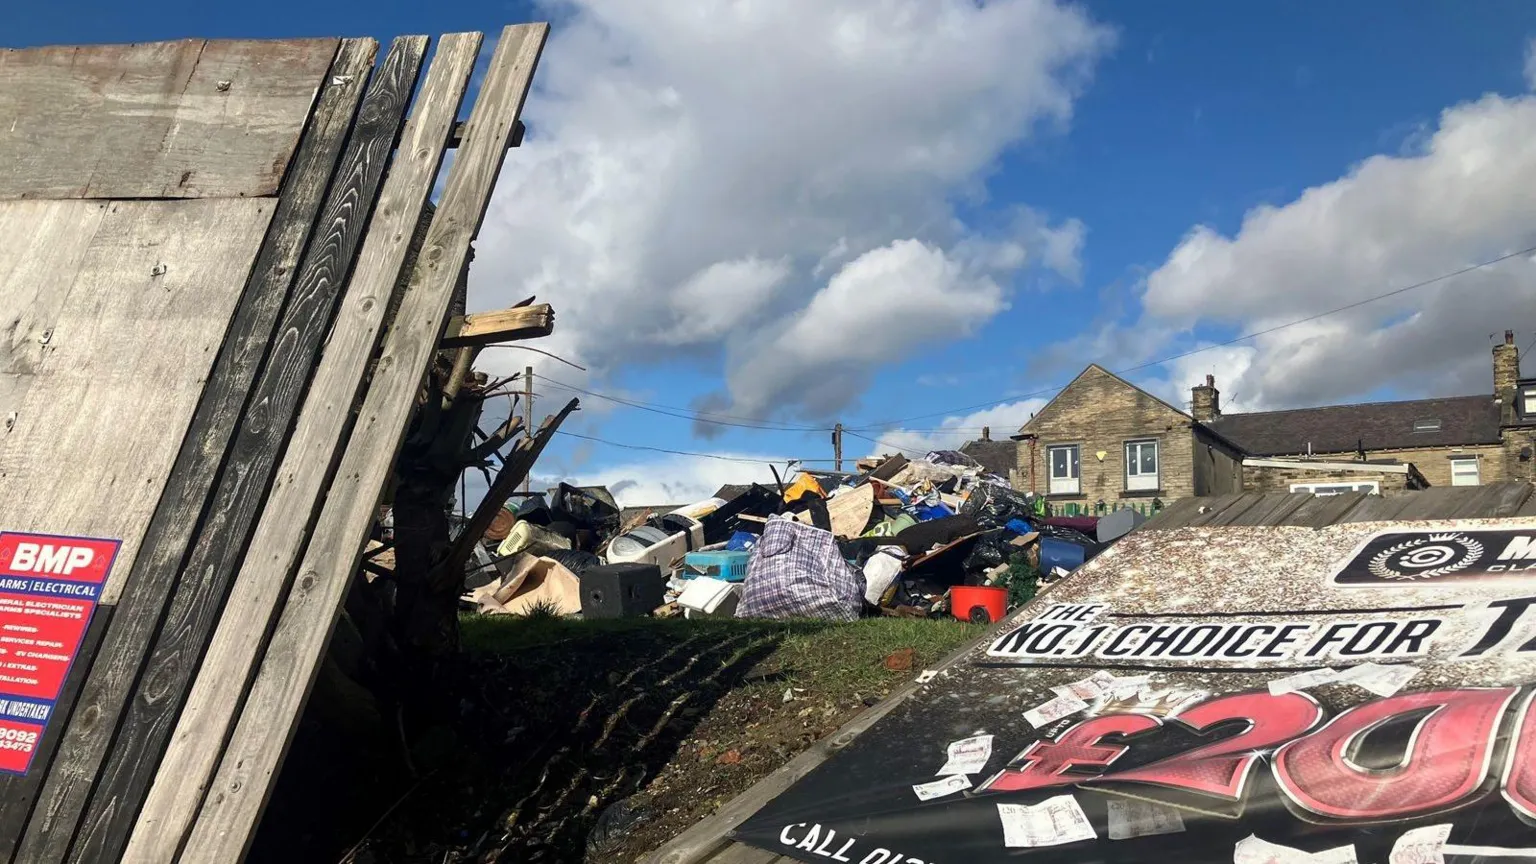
(48, 591)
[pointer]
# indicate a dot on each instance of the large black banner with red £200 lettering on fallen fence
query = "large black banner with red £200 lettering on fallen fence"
(1260, 696)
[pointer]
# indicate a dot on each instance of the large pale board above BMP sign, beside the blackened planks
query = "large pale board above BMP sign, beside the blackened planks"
(136, 337)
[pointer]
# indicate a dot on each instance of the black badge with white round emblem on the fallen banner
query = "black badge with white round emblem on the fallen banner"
(1422, 557)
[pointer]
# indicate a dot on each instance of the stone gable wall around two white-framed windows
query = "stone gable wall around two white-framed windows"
(1099, 413)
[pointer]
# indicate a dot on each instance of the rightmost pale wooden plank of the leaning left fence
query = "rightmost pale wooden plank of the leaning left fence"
(259, 745)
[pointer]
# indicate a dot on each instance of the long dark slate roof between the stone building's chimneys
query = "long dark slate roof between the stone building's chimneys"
(1379, 427)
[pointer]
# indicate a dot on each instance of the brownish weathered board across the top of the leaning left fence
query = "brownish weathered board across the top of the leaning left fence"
(156, 121)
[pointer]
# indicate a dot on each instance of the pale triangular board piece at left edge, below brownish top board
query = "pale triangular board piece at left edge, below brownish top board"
(42, 245)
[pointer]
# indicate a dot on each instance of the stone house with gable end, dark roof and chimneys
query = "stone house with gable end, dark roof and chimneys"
(1107, 444)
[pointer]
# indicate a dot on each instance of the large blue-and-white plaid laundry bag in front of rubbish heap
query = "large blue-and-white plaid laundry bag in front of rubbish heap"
(796, 571)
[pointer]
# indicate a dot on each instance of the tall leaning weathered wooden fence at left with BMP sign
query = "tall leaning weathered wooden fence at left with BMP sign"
(199, 242)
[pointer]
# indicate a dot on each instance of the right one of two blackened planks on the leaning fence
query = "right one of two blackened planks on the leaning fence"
(204, 582)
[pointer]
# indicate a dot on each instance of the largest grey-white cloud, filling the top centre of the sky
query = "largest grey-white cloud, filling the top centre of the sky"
(700, 178)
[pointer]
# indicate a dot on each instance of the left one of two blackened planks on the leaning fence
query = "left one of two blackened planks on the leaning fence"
(222, 402)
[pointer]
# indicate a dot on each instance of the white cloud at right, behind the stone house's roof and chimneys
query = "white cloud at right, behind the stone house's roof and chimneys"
(1391, 222)
